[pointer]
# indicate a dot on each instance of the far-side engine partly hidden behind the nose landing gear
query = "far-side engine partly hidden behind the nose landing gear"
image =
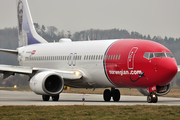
(161, 90)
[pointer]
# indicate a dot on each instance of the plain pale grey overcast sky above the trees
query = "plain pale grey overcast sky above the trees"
(154, 17)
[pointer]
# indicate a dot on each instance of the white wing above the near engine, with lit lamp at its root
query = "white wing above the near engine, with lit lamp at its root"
(8, 70)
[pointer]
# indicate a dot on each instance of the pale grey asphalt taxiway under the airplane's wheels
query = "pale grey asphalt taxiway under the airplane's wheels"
(24, 98)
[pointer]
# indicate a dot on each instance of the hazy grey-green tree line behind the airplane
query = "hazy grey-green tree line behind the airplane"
(9, 40)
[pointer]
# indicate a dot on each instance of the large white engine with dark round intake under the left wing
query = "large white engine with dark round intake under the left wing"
(47, 83)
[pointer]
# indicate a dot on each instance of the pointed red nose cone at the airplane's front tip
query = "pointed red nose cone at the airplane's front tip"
(168, 69)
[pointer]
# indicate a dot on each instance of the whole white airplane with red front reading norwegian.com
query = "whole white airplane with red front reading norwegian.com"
(116, 63)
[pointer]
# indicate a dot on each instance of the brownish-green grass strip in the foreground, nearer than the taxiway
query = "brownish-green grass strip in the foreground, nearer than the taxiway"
(137, 112)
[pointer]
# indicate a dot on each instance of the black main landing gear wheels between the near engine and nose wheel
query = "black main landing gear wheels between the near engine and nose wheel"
(115, 93)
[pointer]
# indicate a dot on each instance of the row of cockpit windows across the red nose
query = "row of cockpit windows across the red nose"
(149, 55)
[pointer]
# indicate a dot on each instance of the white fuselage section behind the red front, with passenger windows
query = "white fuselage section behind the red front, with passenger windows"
(85, 56)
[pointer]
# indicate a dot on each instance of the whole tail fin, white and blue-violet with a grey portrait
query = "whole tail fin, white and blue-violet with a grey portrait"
(26, 32)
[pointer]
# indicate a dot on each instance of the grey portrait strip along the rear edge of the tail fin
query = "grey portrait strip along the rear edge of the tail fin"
(21, 32)
